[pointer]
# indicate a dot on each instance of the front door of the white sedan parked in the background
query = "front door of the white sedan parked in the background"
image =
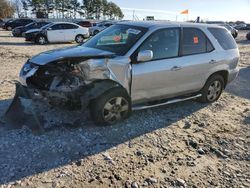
(56, 33)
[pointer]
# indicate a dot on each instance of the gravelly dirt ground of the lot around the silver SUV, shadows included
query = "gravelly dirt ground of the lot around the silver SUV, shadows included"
(182, 145)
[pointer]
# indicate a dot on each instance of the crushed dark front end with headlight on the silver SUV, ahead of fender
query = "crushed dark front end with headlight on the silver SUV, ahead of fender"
(60, 83)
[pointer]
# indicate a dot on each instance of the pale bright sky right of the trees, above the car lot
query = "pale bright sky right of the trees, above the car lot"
(225, 10)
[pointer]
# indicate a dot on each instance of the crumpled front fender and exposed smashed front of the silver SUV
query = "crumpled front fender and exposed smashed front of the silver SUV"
(72, 82)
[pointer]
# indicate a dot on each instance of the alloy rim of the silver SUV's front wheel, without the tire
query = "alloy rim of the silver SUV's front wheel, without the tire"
(115, 109)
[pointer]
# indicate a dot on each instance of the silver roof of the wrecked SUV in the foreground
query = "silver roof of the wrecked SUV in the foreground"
(153, 24)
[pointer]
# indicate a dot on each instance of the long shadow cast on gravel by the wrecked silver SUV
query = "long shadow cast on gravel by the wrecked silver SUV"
(23, 153)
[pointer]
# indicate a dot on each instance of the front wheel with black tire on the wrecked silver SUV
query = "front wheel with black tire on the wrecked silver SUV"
(111, 107)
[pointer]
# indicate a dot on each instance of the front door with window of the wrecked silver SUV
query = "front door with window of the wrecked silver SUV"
(158, 77)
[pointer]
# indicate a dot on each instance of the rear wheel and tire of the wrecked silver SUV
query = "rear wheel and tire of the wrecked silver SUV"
(213, 89)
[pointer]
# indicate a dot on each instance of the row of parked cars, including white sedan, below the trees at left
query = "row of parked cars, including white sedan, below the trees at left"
(42, 32)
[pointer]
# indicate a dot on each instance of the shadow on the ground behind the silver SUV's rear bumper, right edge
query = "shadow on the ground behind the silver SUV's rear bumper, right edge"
(240, 86)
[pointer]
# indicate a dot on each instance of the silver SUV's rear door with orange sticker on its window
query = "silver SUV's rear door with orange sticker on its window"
(197, 58)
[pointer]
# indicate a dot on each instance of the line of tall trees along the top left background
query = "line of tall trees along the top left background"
(89, 9)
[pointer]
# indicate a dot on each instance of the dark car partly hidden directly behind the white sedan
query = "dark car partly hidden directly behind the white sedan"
(20, 31)
